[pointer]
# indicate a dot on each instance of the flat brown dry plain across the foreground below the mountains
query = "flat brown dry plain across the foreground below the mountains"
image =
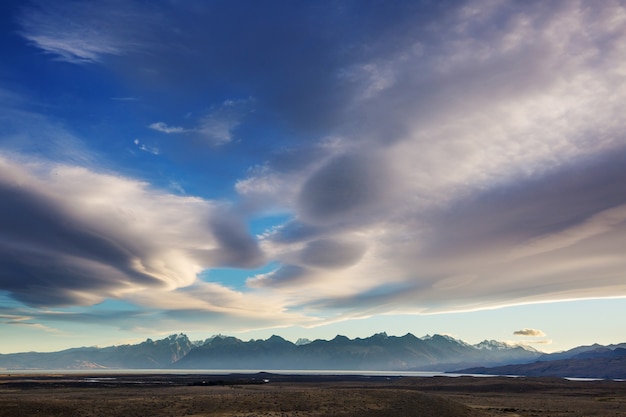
(305, 396)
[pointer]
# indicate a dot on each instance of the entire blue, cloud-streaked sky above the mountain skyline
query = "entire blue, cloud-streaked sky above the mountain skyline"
(312, 168)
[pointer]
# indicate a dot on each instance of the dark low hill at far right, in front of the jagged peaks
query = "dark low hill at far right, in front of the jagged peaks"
(597, 362)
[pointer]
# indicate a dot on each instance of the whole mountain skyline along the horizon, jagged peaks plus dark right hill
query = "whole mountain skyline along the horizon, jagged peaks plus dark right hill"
(377, 352)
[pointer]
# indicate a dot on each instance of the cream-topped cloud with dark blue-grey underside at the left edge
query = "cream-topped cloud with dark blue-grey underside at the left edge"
(73, 236)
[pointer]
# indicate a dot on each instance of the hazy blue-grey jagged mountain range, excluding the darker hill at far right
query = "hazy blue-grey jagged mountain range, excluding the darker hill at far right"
(378, 352)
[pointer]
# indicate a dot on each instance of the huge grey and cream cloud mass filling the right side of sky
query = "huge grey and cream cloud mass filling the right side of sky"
(466, 152)
